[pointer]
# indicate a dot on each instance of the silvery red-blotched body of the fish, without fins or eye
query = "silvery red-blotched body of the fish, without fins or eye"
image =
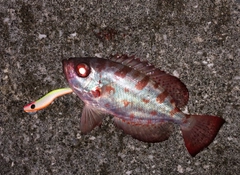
(124, 92)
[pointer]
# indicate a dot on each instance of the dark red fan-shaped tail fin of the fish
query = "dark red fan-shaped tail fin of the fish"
(199, 131)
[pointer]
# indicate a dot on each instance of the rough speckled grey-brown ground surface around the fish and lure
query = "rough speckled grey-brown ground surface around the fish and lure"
(198, 41)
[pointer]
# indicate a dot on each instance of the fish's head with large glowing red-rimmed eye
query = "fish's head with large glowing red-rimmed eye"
(82, 76)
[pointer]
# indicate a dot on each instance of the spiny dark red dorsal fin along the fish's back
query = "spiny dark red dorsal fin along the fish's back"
(171, 84)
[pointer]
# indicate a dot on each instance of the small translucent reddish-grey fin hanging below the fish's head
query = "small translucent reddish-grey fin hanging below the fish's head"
(90, 119)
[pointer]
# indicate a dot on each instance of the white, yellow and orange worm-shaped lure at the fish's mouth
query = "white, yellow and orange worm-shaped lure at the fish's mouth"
(46, 100)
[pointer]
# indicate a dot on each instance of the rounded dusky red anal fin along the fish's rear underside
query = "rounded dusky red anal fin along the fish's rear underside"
(151, 133)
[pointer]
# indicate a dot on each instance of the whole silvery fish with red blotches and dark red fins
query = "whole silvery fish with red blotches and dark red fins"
(144, 101)
